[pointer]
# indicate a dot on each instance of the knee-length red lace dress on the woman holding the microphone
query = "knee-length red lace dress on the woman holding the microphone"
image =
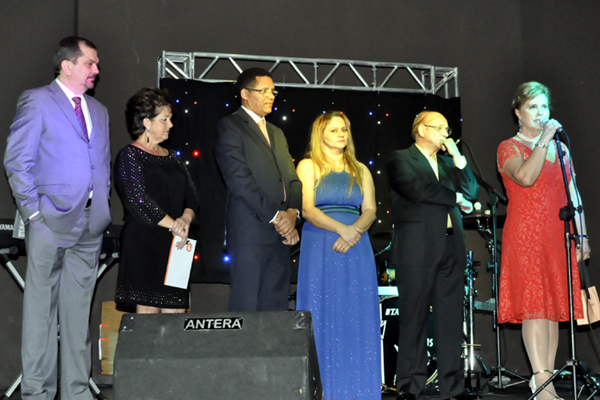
(533, 278)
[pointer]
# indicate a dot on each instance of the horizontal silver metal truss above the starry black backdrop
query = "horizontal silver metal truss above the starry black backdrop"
(318, 73)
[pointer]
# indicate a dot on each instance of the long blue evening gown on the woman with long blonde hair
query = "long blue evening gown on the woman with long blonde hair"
(340, 290)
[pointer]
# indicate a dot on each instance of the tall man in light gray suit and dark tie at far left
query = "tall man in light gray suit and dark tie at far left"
(58, 165)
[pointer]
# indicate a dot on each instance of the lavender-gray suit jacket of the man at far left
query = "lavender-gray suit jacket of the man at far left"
(51, 165)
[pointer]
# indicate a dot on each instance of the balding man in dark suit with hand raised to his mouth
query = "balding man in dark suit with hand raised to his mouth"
(428, 191)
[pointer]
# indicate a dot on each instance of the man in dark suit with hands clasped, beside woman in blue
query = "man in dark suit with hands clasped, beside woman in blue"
(264, 196)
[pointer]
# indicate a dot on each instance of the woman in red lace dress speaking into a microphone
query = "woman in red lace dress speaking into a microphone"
(533, 280)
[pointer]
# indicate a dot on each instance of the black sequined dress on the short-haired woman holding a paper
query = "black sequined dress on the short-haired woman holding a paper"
(150, 188)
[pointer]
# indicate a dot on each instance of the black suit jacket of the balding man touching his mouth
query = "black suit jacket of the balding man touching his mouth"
(421, 204)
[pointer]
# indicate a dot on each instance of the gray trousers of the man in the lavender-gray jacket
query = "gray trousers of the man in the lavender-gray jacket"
(59, 286)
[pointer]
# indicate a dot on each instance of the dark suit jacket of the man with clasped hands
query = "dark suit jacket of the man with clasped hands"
(253, 172)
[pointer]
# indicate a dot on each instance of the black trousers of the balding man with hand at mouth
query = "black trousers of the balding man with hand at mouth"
(441, 285)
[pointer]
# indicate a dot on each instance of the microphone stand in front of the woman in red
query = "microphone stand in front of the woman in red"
(567, 214)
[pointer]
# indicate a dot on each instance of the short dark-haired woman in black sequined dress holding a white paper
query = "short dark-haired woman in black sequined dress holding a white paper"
(159, 200)
